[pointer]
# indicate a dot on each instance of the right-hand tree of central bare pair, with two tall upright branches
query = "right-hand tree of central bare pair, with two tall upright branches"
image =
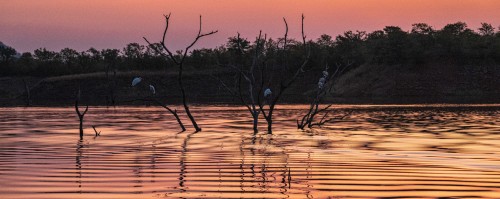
(284, 81)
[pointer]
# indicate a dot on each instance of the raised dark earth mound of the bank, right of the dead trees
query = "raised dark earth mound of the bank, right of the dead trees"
(419, 84)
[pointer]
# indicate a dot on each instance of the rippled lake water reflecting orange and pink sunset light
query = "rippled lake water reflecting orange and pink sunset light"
(375, 152)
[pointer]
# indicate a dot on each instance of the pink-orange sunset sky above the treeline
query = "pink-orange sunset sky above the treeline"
(55, 24)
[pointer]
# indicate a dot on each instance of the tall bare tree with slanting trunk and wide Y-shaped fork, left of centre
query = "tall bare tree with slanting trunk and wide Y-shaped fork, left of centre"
(180, 63)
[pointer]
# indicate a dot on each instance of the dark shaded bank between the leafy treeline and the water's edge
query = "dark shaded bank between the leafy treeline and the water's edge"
(366, 84)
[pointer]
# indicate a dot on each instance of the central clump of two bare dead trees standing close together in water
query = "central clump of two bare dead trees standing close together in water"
(257, 78)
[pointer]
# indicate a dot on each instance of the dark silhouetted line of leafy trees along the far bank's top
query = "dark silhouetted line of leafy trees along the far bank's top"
(454, 44)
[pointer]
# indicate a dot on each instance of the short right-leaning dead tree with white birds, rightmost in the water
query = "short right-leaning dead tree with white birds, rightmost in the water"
(325, 81)
